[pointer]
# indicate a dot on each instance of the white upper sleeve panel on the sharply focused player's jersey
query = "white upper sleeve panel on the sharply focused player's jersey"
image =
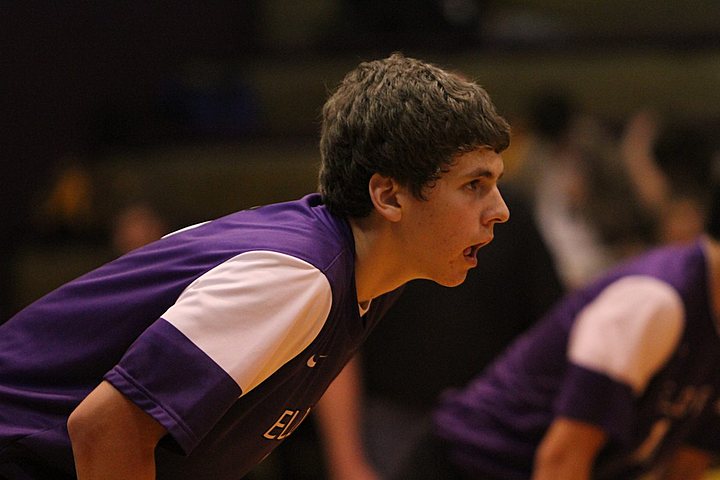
(253, 313)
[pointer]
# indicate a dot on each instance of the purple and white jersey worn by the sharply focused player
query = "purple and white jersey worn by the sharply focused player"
(227, 333)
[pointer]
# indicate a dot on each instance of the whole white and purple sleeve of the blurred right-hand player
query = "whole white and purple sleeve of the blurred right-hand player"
(616, 346)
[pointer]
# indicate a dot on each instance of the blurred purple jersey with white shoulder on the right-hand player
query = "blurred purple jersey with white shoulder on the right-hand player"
(635, 353)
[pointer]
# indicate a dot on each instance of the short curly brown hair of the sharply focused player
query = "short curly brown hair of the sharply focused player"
(402, 118)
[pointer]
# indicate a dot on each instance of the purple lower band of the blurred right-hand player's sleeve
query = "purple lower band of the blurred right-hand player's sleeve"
(599, 400)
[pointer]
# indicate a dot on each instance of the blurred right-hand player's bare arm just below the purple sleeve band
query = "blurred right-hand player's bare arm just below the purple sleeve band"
(568, 450)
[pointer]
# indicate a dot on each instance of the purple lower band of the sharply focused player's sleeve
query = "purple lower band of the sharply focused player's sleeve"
(176, 383)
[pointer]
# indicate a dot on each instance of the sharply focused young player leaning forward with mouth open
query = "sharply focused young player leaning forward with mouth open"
(194, 356)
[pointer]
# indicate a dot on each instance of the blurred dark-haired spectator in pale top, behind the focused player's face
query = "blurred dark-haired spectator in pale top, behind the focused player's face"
(581, 193)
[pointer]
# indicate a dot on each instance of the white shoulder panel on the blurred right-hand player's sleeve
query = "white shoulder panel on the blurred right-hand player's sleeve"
(629, 331)
